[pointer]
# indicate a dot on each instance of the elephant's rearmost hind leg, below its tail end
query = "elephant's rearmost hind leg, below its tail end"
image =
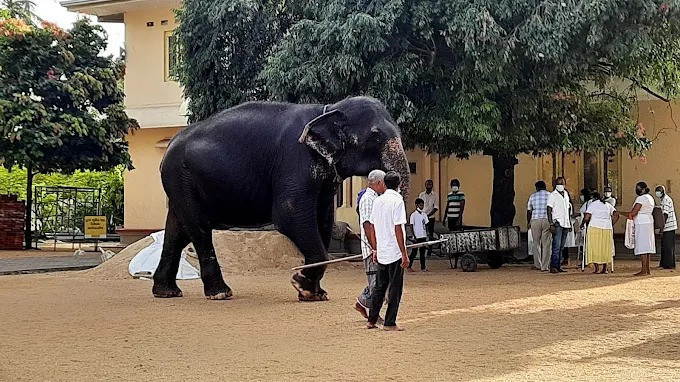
(164, 284)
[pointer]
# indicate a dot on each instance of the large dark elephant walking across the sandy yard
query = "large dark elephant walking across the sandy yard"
(260, 163)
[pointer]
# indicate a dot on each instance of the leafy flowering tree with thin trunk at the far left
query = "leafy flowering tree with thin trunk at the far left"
(61, 109)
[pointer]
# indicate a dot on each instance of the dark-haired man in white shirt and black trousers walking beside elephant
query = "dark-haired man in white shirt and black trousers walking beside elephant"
(388, 239)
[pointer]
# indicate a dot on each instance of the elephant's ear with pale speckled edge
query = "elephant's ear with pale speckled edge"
(324, 134)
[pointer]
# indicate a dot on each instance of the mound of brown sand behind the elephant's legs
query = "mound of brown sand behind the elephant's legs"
(239, 252)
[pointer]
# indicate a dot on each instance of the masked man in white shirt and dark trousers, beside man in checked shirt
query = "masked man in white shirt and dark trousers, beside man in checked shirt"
(559, 217)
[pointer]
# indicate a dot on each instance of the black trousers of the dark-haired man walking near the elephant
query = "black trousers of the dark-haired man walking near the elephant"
(390, 276)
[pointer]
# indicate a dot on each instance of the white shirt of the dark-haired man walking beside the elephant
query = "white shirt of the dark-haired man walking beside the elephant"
(388, 212)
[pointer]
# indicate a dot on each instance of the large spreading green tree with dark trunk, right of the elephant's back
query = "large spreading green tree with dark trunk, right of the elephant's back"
(496, 77)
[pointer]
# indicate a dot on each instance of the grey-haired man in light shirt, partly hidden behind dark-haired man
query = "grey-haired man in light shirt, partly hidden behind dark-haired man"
(376, 186)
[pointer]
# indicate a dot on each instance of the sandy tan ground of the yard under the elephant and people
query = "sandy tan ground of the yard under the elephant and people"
(511, 324)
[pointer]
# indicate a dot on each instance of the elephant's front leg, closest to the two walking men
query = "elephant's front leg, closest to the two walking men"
(302, 228)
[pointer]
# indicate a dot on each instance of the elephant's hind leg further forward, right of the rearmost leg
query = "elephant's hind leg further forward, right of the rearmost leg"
(214, 286)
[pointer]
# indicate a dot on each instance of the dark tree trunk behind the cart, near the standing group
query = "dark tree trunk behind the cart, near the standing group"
(503, 195)
